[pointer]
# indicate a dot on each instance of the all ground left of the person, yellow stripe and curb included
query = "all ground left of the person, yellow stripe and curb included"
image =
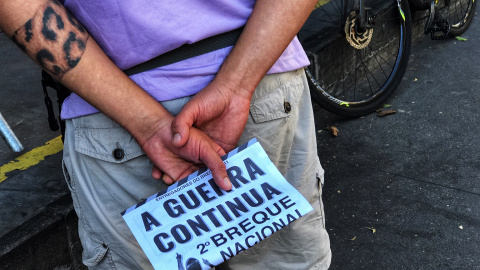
(36, 219)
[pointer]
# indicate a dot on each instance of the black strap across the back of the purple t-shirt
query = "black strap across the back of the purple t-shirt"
(188, 51)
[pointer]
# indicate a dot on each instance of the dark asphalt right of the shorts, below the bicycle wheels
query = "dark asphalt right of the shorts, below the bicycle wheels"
(403, 191)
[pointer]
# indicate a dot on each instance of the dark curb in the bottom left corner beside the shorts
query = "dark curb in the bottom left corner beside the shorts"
(49, 240)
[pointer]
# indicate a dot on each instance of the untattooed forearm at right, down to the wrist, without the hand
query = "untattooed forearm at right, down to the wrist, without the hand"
(268, 32)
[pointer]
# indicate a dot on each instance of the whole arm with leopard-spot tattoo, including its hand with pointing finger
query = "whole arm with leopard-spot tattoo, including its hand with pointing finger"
(59, 44)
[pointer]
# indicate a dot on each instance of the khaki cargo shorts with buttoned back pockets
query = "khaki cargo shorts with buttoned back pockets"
(107, 172)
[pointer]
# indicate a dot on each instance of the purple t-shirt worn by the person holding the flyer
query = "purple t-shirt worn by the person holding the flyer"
(132, 32)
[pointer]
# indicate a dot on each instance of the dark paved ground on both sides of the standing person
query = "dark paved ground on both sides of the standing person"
(402, 191)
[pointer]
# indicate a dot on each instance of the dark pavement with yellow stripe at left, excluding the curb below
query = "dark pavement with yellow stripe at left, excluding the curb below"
(24, 193)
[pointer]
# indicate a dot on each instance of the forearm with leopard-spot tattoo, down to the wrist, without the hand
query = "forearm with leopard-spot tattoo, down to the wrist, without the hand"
(60, 45)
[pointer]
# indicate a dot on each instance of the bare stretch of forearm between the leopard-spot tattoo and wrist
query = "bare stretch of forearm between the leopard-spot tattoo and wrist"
(101, 83)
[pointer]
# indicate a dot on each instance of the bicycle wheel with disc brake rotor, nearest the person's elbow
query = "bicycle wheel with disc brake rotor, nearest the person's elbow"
(353, 69)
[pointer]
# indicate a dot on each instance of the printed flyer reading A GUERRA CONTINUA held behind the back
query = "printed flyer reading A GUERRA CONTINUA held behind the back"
(196, 225)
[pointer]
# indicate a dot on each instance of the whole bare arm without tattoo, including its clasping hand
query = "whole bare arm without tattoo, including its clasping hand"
(221, 109)
